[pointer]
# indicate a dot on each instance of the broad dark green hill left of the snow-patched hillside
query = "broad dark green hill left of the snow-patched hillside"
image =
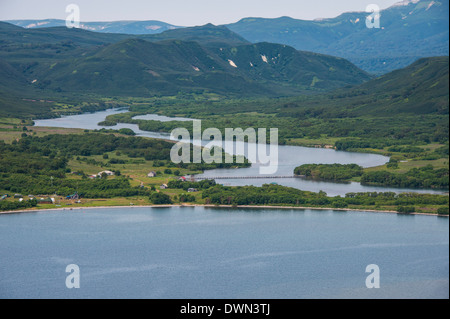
(141, 68)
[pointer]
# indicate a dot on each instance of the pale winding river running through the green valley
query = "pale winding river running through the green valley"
(289, 158)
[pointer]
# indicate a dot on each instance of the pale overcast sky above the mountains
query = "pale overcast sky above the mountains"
(183, 12)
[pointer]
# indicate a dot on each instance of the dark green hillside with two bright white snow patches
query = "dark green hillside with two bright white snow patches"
(274, 62)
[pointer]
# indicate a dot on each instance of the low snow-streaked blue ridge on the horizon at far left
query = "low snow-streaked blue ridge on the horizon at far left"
(128, 27)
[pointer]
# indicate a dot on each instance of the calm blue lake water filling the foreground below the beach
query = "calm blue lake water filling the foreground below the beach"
(187, 252)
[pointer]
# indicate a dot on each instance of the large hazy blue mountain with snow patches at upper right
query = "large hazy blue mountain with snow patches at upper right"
(409, 30)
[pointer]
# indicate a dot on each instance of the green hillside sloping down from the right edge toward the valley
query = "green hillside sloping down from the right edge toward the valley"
(420, 88)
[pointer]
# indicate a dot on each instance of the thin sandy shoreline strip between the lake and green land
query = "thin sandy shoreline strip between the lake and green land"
(215, 206)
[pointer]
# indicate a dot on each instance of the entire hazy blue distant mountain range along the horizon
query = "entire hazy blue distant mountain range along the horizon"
(410, 29)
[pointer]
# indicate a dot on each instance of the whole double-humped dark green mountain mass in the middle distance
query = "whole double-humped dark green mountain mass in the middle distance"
(141, 68)
